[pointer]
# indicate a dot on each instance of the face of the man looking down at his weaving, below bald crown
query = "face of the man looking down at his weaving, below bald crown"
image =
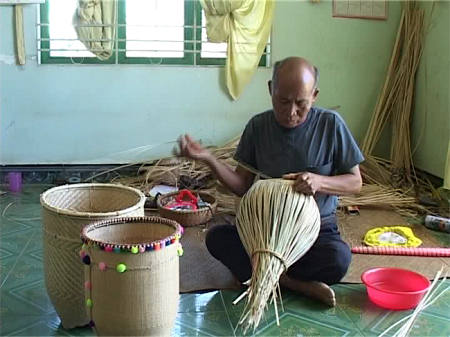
(292, 100)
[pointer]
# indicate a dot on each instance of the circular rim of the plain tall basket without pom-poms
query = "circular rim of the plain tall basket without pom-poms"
(71, 213)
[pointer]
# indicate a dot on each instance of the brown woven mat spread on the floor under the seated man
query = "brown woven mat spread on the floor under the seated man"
(200, 271)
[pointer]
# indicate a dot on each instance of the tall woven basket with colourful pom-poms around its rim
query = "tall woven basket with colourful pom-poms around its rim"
(132, 275)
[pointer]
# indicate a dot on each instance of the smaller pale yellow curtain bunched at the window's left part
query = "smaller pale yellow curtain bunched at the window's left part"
(101, 12)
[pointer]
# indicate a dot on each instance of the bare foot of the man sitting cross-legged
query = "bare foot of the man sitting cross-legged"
(313, 289)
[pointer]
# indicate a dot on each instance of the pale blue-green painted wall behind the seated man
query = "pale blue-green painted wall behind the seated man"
(54, 114)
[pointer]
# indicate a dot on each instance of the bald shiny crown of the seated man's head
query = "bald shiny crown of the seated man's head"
(297, 67)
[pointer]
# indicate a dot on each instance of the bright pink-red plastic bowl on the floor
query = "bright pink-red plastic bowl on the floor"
(393, 288)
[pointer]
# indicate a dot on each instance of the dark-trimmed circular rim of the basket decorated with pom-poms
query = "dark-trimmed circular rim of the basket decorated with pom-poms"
(178, 230)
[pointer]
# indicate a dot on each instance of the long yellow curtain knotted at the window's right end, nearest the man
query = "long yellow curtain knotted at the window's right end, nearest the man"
(245, 26)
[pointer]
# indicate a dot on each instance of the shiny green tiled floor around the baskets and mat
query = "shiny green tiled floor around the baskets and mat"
(27, 311)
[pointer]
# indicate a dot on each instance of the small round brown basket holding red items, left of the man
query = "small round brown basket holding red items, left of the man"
(188, 218)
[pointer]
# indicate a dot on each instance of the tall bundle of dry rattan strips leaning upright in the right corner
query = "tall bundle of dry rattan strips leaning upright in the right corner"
(396, 99)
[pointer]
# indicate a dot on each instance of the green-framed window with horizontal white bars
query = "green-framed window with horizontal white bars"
(147, 32)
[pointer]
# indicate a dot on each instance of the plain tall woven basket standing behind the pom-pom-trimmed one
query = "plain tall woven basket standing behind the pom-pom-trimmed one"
(65, 211)
